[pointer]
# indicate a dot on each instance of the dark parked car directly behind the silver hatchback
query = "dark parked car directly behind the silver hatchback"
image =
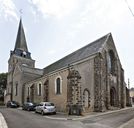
(29, 106)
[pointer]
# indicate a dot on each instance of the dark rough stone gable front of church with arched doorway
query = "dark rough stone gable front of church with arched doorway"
(109, 80)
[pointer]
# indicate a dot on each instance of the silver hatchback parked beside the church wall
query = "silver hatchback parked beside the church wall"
(45, 107)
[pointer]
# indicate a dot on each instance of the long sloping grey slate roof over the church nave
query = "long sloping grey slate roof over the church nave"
(78, 55)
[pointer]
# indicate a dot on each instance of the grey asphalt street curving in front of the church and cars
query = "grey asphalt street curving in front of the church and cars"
(17, 118)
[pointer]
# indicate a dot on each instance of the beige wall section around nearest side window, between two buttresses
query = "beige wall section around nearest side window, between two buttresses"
(60, 100)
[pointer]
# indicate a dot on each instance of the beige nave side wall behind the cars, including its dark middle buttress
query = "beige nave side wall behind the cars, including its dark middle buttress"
(48, 89)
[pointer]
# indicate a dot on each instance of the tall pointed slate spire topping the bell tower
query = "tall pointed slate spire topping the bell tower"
(21, 40)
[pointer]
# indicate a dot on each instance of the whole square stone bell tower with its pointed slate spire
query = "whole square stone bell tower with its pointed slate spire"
(19, 57)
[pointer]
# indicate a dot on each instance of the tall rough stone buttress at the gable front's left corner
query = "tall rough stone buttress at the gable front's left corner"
(100, 83)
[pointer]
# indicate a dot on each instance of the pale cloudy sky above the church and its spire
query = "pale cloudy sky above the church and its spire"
(56, 28)
